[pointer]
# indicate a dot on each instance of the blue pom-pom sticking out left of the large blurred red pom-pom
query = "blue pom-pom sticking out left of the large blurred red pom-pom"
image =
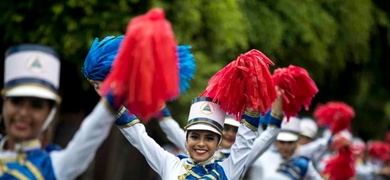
(97, 64)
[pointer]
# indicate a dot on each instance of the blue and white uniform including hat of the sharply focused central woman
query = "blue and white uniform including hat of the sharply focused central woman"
(169, 166)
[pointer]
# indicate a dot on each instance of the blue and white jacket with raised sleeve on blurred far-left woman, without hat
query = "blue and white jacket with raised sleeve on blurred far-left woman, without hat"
(29, 161)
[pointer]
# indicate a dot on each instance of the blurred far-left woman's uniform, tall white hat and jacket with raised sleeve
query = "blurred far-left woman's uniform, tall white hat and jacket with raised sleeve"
(33, 70)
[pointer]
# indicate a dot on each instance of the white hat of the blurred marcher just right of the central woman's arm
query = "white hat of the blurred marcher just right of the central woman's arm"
(289, 130)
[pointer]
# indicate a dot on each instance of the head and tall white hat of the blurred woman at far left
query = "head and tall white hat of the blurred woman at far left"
(30, 92)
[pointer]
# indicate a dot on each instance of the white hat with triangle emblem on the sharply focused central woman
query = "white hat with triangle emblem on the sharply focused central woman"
(205, 115)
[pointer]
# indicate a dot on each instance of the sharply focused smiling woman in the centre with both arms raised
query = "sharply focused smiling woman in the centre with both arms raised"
(203, 136)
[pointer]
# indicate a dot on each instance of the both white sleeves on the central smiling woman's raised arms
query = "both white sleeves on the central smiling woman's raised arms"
(170, 167)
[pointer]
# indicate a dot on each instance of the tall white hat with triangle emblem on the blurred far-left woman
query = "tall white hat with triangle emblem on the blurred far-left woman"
(32, 70)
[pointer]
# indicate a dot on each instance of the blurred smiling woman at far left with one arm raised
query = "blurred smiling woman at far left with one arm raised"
(30, 100)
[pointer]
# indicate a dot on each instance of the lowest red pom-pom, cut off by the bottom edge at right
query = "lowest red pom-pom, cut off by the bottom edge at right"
(341, 166)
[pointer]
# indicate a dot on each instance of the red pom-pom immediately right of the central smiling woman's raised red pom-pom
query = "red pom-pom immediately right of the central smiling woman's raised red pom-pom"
(299, 89)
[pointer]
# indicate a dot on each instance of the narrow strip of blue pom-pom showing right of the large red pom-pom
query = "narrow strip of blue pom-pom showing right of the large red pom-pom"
(187, 67)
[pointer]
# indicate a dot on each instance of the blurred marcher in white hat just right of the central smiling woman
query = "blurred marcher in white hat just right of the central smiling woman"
(283, 156)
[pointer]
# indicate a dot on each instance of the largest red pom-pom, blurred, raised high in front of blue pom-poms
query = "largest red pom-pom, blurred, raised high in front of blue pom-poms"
(145, 73)
